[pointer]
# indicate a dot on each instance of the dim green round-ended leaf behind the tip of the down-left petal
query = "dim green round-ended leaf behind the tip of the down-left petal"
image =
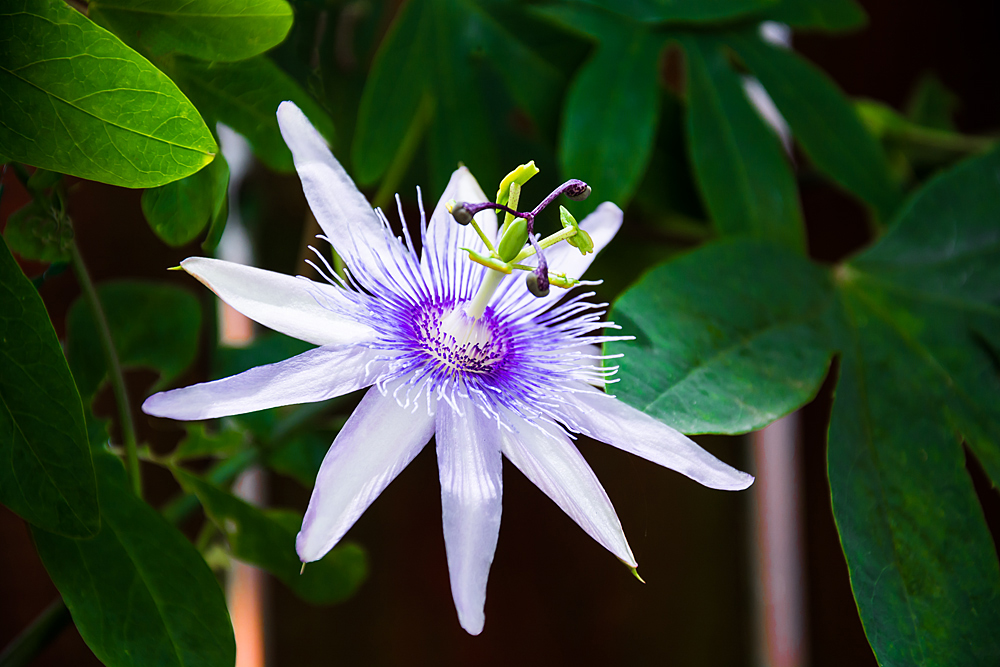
(267, 539)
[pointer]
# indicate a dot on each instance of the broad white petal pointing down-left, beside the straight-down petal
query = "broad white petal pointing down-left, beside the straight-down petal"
(377, 442)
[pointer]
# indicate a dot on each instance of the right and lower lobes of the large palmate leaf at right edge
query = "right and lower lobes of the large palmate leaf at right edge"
(920, 342)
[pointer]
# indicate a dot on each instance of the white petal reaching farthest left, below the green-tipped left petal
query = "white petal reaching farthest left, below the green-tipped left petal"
(312, 376)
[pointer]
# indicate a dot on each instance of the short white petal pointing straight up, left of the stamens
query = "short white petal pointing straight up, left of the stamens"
(445, 237)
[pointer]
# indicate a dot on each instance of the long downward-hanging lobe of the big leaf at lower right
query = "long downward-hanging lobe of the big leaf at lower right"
(922, 564)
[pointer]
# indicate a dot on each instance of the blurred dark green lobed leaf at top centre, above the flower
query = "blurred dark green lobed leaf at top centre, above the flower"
(441, 49)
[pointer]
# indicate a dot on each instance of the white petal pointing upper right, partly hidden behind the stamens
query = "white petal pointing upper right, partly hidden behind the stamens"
(602, 225)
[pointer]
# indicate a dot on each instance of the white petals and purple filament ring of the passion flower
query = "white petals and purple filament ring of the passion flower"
(450, 349)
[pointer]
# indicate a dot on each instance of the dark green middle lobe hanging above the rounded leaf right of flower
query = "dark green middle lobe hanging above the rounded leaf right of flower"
(740, 165)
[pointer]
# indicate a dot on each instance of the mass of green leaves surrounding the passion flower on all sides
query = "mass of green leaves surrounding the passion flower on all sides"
(679, 111)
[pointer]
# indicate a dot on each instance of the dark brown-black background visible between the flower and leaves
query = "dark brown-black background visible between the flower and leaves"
(555, 596)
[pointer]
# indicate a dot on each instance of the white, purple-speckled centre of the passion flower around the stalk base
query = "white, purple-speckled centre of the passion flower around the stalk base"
(459, 343)
